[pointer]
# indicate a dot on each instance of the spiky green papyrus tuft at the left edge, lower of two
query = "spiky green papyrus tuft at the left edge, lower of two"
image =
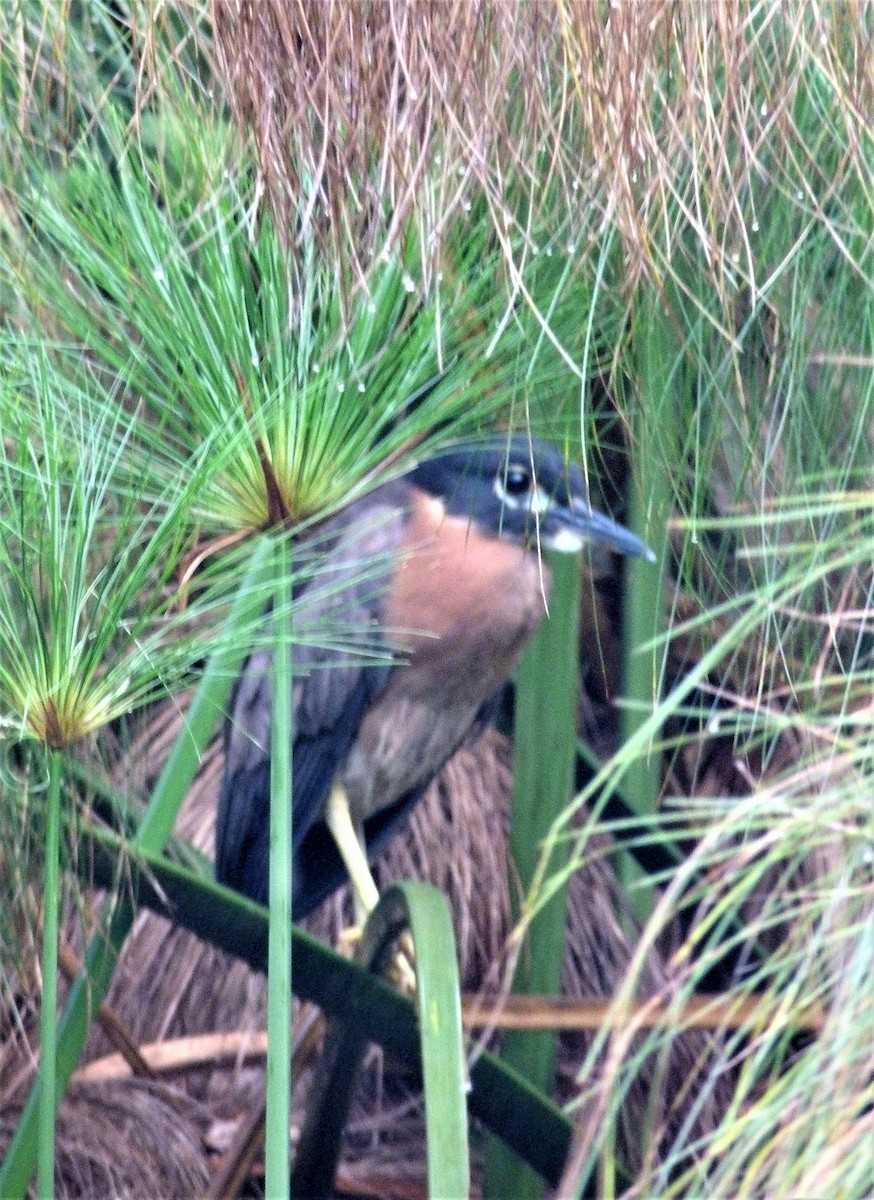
(92, 627)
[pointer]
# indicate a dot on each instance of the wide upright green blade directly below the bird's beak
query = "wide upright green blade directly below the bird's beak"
(546, 740)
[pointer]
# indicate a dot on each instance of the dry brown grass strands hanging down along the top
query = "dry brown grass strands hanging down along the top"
(655, 117)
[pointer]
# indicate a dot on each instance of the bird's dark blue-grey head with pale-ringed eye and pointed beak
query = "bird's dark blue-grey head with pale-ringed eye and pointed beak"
(523, 491)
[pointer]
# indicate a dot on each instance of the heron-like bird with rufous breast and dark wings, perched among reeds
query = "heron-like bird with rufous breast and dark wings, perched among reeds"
(439, 574)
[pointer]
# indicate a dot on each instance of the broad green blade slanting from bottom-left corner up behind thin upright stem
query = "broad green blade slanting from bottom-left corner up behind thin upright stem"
(93, 982)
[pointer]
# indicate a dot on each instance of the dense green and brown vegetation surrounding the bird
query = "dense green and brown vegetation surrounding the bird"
(256, 257)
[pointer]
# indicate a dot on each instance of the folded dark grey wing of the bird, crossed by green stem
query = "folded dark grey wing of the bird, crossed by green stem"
(333, 689)
